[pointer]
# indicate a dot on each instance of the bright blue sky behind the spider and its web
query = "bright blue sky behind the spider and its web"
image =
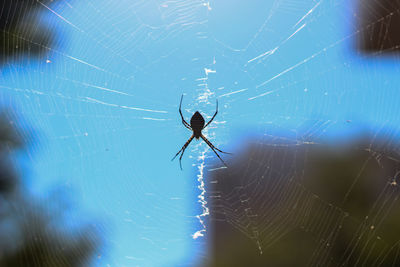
(104, 104)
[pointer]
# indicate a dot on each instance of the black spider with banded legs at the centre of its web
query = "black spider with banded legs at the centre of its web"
(197, 125)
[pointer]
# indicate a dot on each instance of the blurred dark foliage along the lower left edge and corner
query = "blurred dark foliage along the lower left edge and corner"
(34, 232)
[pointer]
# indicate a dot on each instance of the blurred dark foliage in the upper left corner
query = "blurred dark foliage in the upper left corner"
(21, 31)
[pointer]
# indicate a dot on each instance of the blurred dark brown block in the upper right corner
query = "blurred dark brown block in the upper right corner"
(379, 25)
